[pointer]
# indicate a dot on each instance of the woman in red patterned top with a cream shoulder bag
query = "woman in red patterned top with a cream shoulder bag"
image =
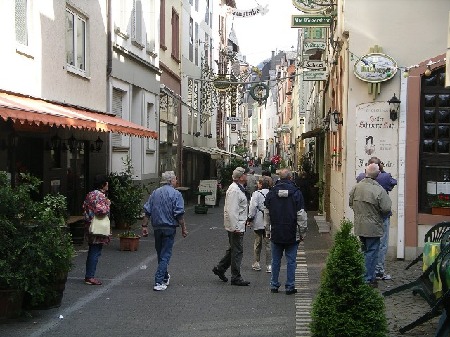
(95, 203)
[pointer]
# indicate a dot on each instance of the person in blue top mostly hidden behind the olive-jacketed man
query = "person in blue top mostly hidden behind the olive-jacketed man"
(388, 183)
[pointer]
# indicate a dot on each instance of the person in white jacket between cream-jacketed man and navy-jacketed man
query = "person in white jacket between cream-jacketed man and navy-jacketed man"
(256, 218)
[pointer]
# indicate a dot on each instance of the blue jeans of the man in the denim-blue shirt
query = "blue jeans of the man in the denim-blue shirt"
(164, 239)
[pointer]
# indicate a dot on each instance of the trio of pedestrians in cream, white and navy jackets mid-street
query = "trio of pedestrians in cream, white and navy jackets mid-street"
(276, 214)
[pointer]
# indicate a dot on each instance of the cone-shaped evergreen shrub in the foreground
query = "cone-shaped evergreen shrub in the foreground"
(345, 305)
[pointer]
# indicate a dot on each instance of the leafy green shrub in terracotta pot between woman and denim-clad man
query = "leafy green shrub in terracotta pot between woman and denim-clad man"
(125, 195)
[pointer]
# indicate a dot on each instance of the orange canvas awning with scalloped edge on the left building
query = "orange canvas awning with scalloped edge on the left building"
(34, 111)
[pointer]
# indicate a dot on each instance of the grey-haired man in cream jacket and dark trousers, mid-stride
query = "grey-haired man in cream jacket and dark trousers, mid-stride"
(235, 218)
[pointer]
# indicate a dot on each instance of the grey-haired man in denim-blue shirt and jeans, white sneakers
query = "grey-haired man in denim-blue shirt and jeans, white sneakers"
(165, 209)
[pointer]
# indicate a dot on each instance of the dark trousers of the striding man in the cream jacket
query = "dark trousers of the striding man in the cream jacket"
(233, 256)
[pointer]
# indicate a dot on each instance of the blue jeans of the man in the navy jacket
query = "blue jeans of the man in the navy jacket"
(291, 263)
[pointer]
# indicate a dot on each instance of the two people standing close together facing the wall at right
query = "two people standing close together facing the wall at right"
(371, 205)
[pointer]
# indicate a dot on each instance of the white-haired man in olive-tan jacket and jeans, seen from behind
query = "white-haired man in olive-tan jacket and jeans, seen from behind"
(371, 204)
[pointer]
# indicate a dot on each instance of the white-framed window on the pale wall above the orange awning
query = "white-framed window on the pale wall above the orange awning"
(75, 41)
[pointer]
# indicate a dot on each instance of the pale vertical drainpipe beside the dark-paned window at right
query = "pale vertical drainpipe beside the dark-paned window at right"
(401, 168)
